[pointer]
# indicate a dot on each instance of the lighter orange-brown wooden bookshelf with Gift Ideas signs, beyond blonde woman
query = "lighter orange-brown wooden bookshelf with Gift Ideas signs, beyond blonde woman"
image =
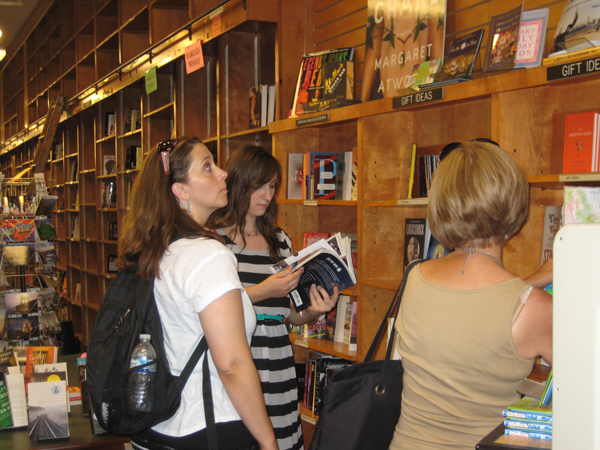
(520, 110)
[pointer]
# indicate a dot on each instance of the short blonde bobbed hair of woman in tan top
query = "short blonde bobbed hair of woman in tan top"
(479, 194)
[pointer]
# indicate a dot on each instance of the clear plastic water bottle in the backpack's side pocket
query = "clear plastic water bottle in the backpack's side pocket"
(140, 385)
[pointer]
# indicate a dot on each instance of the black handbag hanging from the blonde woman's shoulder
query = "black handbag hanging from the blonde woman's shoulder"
(362, 402)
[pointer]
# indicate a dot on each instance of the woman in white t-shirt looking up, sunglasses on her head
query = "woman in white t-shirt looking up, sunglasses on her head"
(198, 293)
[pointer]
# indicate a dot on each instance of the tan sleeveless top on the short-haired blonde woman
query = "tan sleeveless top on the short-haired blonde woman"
(461, 365)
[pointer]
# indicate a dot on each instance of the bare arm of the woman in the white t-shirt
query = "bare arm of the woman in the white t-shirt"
(223, 324)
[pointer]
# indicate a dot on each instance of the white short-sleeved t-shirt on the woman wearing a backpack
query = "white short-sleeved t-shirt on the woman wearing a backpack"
(194, 273)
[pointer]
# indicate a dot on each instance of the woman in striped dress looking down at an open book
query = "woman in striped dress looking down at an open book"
(248, 226)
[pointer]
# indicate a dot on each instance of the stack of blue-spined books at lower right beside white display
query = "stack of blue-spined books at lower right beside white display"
(531, 417)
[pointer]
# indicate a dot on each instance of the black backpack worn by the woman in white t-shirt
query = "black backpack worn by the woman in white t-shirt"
(128, 310)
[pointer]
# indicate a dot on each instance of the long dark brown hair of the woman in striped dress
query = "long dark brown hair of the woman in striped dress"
(248, 169)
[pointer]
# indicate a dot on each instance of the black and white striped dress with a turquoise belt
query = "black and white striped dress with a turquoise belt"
(271, 347)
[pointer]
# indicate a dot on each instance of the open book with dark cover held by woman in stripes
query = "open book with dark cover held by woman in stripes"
(326, 263)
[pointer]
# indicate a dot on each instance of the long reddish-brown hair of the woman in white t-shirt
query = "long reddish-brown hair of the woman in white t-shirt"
(155, 217)
